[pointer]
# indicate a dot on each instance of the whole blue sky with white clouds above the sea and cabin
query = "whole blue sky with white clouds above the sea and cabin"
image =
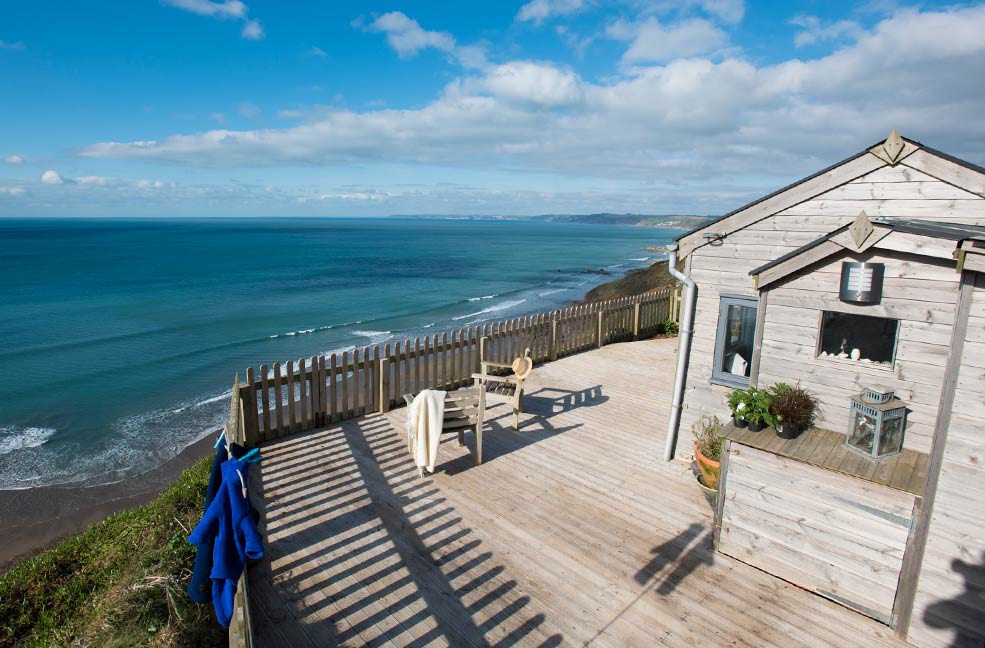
(264, 108)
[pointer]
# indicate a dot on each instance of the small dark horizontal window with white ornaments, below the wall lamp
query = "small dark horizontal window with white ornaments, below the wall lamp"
(862, 338)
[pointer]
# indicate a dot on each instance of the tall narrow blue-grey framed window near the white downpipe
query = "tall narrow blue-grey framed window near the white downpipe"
(733, 346)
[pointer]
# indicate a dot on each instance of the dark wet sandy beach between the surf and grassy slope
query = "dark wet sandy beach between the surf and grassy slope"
(35, 519)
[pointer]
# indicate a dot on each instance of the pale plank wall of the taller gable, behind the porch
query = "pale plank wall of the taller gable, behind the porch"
(901, 192)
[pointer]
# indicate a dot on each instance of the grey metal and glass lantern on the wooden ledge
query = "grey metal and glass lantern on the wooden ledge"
(876, 423)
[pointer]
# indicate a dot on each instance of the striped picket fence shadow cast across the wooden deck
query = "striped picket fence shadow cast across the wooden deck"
(380, 560)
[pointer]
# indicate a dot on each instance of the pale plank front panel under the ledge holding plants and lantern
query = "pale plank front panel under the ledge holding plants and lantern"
(839, 536)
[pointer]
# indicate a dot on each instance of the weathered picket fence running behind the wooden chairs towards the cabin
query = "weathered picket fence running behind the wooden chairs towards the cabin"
(317, 391)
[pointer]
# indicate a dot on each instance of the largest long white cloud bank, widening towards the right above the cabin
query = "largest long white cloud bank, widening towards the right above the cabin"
(690, 121)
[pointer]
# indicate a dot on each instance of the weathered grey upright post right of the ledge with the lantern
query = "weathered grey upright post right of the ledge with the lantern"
(913, 558)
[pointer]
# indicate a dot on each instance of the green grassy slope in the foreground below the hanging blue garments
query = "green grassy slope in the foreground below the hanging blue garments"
(119, 583)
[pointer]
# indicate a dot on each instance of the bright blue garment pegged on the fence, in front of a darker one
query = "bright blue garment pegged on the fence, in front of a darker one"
(229, 526)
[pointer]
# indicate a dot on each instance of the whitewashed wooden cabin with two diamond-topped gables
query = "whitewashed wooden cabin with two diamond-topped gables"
(900, 538)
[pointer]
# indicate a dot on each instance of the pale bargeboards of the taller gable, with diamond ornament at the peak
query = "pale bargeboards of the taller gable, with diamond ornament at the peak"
(964, 174)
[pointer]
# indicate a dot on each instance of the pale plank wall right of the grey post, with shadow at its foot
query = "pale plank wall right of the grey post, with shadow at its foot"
(949, 608)
